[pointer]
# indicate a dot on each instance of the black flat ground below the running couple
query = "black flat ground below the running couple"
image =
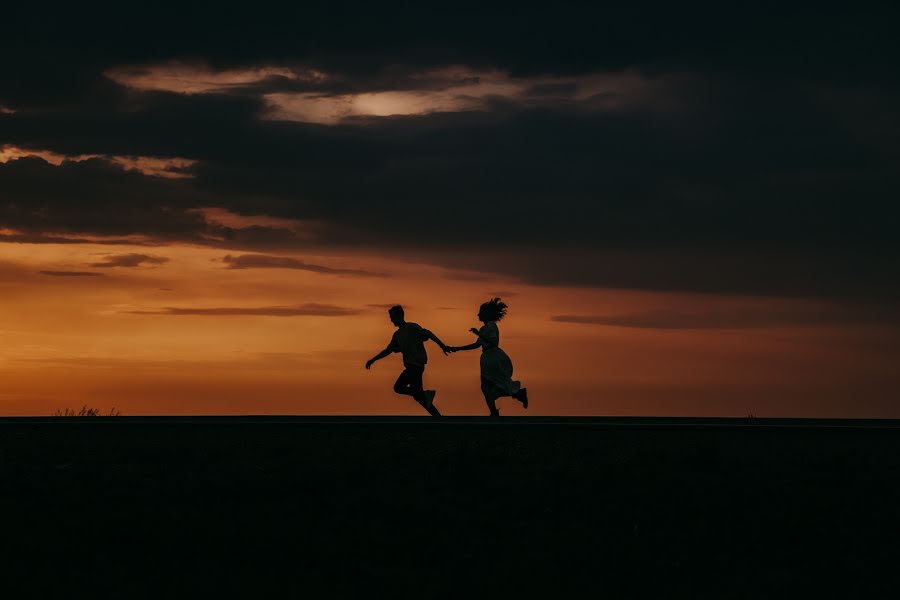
(163, 508)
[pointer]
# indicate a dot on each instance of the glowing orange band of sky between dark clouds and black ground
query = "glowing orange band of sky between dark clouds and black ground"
(122, 339)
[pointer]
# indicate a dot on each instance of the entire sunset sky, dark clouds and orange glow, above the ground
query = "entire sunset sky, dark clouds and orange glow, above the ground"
(210, 211)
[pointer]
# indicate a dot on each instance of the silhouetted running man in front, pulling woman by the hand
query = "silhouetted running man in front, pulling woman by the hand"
(409, 339)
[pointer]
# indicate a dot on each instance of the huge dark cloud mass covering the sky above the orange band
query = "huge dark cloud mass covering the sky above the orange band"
(751, 153)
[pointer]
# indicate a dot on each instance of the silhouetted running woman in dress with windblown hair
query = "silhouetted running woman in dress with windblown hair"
(496, 367)
